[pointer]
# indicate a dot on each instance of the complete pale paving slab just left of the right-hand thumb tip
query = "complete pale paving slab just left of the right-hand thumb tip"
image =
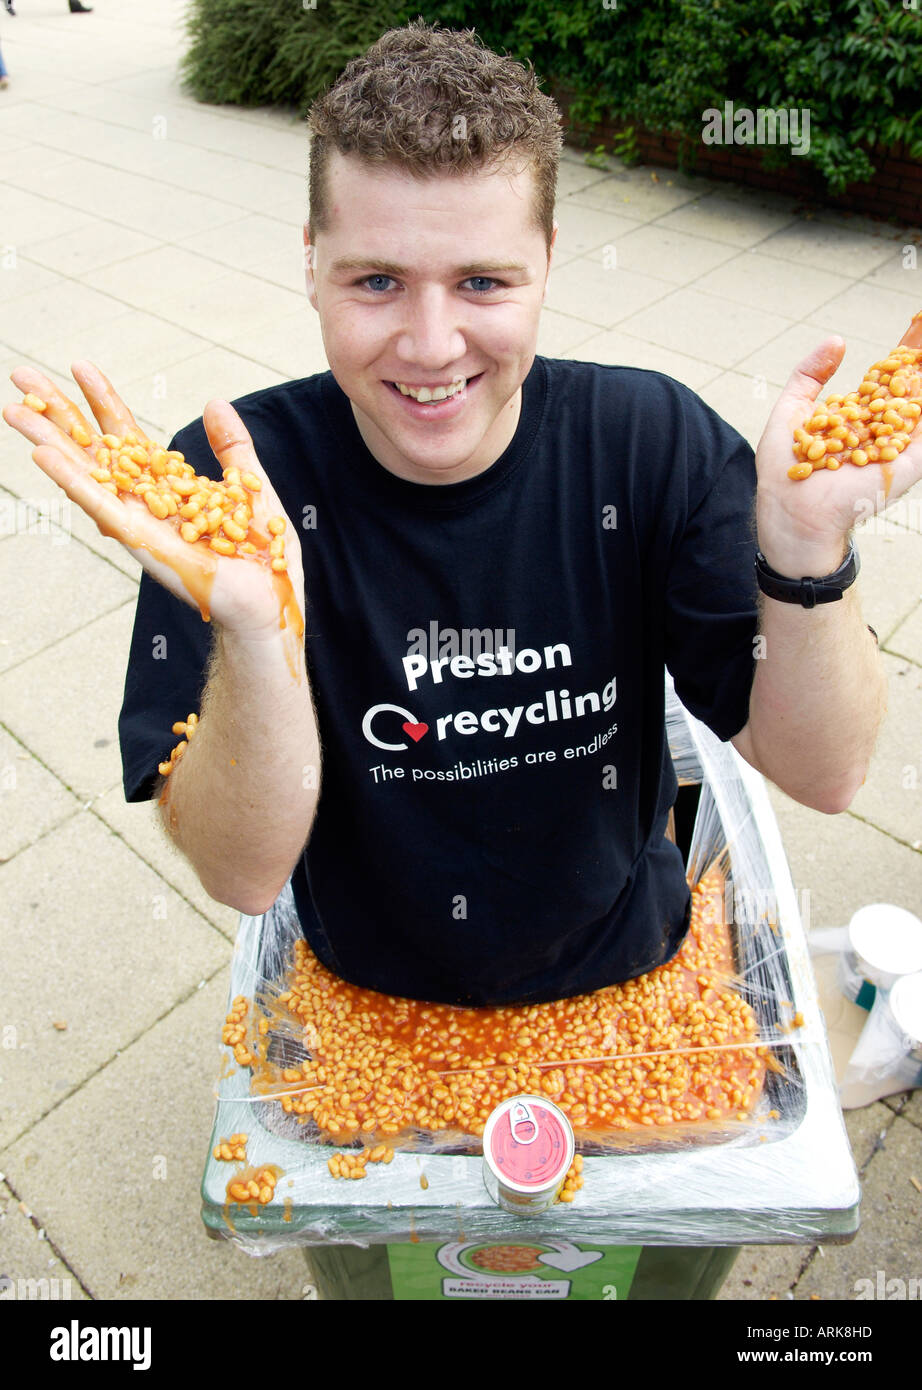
(721, 332)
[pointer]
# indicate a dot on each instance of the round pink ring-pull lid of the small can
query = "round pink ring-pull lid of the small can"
(529, 1142)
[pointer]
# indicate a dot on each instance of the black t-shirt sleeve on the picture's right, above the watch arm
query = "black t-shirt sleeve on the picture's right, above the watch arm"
(713, 597)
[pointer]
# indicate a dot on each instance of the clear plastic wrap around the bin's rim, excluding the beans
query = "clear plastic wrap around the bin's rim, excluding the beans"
(785, 1175)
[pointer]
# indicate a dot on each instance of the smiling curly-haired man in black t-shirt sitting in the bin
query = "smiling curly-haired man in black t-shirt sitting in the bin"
(489, 826)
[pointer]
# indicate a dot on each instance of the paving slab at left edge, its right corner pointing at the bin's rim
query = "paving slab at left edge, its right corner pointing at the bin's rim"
(106, 970)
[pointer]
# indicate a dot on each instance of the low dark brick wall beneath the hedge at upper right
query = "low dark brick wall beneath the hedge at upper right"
(895, 194)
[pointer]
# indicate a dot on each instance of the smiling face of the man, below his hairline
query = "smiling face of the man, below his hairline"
(428, 284)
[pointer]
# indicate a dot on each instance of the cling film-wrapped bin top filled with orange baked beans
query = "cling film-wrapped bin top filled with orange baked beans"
(703, 1096)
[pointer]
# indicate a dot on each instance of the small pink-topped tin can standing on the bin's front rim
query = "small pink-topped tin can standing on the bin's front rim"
(528, 1150)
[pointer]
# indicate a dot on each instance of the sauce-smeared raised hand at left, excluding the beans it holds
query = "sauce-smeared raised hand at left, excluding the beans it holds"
(243, 594)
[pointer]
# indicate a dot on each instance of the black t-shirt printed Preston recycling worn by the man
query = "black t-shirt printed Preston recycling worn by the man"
(487, 667)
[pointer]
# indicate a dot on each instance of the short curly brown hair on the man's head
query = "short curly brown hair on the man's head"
(429, 99)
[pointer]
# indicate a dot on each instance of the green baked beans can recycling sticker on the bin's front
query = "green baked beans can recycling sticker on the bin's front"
(512, 1270)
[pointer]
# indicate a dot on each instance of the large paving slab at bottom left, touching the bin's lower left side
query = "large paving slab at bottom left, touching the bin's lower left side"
(145, 1121)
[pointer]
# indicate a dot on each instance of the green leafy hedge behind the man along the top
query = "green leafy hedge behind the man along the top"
(855, 65)
